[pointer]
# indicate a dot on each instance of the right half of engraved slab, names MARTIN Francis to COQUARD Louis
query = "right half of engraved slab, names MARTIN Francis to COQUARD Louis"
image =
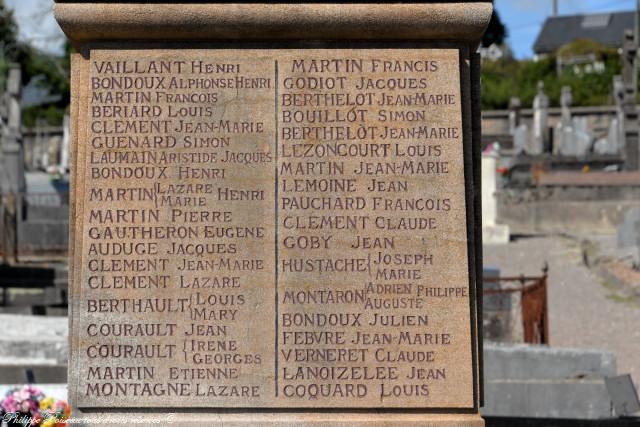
(372, 268)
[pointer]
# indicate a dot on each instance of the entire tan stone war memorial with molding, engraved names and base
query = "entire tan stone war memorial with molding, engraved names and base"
(276, 213)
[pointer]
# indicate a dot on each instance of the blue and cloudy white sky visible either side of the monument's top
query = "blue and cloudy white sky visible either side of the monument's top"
(523, 18)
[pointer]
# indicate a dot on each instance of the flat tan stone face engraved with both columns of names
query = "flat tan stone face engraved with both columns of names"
(269, 235)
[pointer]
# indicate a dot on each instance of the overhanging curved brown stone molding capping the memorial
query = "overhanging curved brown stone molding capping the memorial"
(460, 21)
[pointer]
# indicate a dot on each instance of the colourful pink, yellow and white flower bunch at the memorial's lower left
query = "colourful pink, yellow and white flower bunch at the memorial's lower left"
(27, 406)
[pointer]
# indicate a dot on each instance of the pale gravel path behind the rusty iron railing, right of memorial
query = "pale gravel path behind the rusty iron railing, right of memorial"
(581, 312)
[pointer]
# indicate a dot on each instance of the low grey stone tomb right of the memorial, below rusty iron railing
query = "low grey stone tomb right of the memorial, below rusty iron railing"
(543, 382)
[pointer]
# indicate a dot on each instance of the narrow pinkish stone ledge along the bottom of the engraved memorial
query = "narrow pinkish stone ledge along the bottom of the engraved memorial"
(298, 419)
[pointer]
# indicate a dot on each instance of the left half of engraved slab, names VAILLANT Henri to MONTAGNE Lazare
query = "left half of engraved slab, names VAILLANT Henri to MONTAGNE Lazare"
(178, 232)
